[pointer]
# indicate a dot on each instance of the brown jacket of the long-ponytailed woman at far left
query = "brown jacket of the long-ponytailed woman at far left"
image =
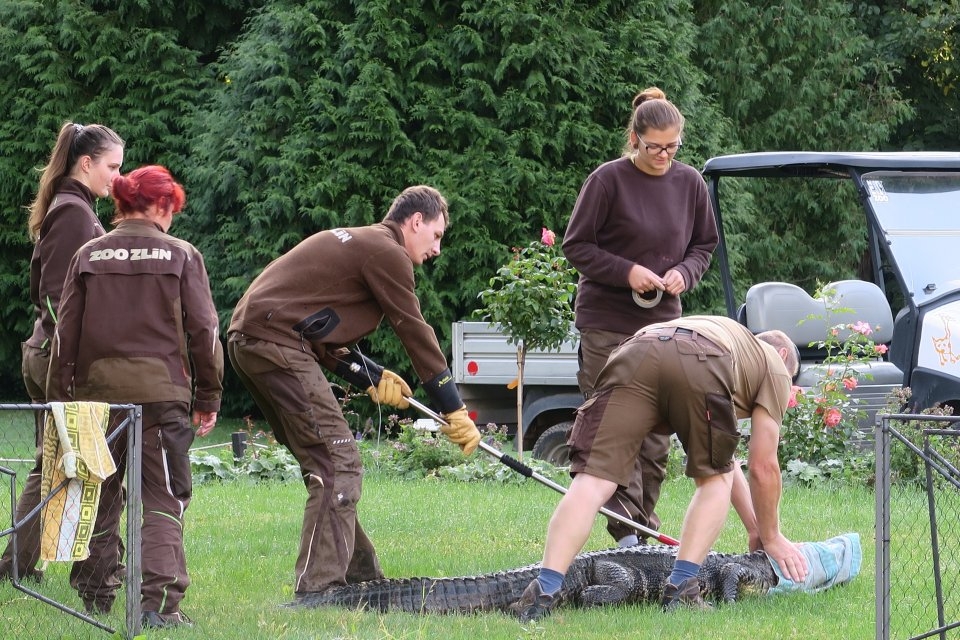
(69, 223)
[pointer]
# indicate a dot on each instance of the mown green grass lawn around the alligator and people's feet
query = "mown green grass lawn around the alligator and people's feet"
(242, 540)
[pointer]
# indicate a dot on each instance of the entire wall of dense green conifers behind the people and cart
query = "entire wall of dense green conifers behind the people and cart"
(286, 117)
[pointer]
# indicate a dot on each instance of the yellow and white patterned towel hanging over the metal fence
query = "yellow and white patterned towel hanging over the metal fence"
(74, 448)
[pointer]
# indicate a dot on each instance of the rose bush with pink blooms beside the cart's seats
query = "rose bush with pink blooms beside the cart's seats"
(822, 420)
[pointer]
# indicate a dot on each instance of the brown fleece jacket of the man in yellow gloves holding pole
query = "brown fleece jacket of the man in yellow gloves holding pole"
(333, 289)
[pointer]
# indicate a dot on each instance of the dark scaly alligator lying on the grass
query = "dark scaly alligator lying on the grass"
(615, 576)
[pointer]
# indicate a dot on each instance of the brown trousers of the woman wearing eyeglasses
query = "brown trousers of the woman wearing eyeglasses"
(639, 500)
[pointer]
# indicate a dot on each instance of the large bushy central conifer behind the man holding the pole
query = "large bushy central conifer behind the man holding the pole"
(321, 116)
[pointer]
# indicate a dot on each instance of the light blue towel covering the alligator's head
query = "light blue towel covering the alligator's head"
(831, 562)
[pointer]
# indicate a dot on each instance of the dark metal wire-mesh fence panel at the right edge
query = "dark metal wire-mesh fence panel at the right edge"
(917, 527)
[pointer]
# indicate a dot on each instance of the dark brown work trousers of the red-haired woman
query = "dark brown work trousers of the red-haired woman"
(167, 487)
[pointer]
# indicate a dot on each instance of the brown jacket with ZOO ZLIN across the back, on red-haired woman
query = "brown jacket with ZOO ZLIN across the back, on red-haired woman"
(137, 323)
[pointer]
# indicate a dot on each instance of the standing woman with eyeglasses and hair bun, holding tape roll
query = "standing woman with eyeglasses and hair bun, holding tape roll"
(641, 233)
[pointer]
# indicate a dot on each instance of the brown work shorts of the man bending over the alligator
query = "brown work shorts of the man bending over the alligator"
(663, 380)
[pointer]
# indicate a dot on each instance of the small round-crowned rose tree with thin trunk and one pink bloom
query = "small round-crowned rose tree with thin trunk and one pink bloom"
(530, 299)
